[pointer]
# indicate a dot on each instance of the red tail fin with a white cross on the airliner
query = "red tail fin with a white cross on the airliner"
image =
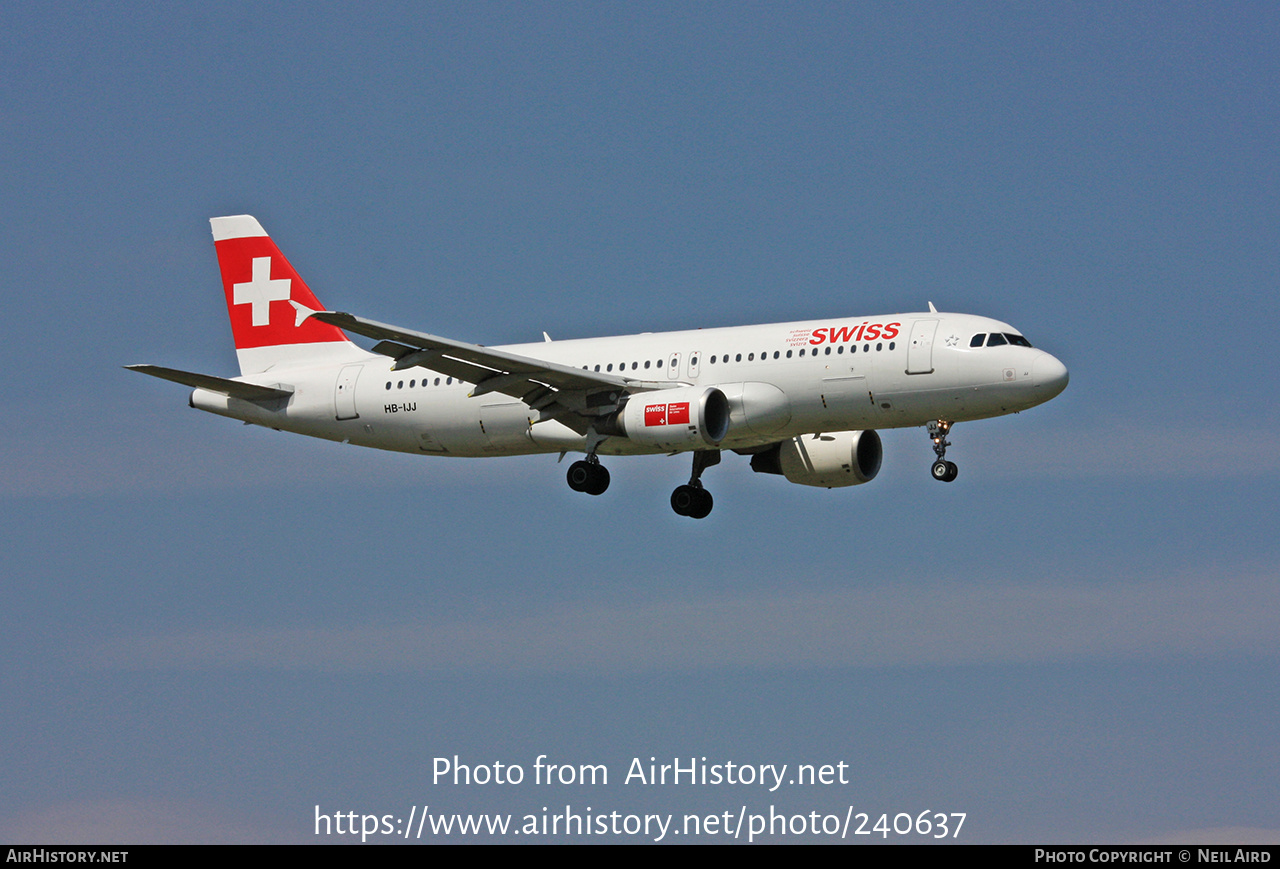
(268, 303)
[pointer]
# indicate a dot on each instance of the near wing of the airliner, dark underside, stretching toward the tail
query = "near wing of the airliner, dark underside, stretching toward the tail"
(551, 388)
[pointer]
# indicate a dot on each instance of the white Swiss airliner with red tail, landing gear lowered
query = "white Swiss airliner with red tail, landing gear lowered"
(801, 400)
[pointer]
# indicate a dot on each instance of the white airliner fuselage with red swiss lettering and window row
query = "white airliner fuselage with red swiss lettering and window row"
(781, 379)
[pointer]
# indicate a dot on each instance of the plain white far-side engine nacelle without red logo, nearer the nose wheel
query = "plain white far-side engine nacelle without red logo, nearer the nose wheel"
(831, 460)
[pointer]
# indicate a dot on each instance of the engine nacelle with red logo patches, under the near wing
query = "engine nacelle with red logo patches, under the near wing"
(689, 418)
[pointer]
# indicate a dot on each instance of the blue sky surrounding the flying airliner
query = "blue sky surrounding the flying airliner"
(212, 629)
